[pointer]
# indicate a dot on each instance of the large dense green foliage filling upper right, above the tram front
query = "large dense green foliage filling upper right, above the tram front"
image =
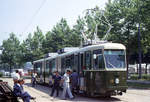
(125, 16)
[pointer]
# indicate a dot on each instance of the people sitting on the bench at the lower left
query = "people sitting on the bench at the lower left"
(18, 89)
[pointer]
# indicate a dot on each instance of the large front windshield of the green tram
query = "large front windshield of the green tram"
(114, 58)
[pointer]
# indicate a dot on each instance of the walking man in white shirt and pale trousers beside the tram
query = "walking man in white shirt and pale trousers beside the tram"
(66, 86)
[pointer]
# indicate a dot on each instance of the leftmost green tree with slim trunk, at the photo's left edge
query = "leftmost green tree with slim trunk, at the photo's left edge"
(11, 52)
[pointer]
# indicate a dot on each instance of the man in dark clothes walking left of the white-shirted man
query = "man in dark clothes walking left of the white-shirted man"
(56, 79)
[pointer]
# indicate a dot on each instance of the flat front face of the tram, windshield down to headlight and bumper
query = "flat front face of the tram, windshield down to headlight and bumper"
(115, 63)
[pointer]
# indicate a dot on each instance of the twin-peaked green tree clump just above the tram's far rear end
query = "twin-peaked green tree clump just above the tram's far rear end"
(31, 47)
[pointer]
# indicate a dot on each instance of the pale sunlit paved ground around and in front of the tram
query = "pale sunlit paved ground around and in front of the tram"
(42, 95)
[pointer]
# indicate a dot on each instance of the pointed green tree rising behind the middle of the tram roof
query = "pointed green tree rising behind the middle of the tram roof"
(58, 37)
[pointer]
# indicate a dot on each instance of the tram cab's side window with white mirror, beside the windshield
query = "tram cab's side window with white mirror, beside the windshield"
(98, 60)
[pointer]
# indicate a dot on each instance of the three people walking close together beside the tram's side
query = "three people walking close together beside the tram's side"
(69, 81)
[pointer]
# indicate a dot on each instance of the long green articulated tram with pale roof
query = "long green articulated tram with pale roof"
(101, 68)
